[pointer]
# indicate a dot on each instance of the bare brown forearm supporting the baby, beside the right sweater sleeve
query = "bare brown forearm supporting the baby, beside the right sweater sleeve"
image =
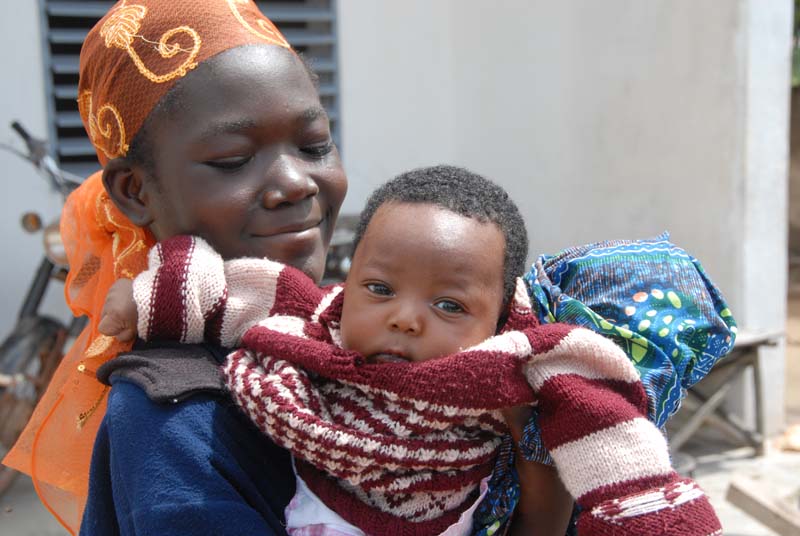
(545, 506)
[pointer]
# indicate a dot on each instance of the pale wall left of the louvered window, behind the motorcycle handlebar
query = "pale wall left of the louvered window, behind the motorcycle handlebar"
(22, 98)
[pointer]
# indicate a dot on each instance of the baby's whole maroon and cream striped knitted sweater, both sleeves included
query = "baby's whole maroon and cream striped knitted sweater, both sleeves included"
(400, 448)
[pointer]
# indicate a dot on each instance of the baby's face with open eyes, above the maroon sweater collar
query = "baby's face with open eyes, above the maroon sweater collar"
(425, 282)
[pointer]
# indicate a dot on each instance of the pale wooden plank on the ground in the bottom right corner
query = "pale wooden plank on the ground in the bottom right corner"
(756, 501)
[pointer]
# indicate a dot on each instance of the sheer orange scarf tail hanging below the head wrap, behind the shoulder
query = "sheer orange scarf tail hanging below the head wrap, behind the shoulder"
(56, 446)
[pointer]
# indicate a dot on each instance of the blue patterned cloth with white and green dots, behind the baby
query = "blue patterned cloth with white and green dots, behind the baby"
(650, 297)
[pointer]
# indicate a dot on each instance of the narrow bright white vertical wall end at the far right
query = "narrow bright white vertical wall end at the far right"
(762, 189)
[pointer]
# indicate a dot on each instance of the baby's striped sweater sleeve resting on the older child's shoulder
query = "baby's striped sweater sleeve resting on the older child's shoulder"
(190, 295)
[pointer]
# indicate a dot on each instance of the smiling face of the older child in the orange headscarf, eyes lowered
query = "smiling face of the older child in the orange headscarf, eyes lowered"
(245, 160)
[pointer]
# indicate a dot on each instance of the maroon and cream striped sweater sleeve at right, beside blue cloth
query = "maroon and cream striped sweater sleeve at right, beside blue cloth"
(611, 458)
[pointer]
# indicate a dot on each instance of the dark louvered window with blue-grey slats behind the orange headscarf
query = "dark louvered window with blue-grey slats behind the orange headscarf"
(309, 25)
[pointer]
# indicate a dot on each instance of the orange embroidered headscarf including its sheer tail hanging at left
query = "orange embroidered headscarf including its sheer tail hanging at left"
(129, 61)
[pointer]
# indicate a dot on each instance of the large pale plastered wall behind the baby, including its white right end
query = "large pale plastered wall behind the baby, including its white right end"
(615, 119)
